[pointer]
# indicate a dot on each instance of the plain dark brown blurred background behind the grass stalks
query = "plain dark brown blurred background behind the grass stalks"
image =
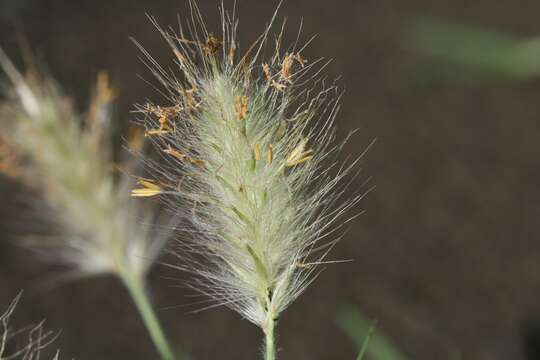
(447, 255)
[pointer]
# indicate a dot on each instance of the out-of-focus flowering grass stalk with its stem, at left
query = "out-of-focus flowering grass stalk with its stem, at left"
(68, 157)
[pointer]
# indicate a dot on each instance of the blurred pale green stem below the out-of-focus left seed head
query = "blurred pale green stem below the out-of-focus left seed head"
(136, 289)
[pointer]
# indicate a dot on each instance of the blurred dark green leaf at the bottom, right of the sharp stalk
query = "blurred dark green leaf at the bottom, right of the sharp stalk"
(371, 344)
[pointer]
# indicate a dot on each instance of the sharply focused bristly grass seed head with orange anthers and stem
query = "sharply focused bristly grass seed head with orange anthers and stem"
(248, 146)
